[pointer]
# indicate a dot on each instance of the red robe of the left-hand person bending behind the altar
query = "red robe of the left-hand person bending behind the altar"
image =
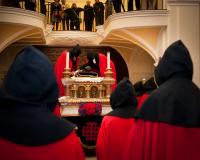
(59, 69)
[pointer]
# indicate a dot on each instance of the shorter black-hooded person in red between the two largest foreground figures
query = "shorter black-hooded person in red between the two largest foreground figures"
(117, 124)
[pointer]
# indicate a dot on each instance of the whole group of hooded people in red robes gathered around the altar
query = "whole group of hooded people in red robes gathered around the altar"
(158, 119)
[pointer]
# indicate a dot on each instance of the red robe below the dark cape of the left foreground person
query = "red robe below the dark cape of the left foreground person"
(68, 148)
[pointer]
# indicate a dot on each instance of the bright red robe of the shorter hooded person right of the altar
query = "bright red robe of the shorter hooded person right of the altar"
(112, 137)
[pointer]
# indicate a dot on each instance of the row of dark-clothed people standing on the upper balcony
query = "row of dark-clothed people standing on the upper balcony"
(68, 17)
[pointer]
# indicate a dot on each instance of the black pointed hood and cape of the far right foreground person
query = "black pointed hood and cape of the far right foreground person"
(177, 100)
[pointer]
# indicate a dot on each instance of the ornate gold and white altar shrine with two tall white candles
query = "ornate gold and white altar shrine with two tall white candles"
(84, 89)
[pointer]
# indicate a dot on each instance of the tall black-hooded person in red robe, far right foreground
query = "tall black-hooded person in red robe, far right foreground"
(168, 124)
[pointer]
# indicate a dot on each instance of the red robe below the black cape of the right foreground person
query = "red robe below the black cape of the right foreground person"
(161, 141)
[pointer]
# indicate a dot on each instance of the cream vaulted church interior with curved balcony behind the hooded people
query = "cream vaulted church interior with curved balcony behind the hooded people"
(136, 39)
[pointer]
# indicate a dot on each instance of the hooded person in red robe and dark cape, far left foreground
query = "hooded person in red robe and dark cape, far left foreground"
(28, 128)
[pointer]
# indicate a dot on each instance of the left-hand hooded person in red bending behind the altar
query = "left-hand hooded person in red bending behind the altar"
(60, 66)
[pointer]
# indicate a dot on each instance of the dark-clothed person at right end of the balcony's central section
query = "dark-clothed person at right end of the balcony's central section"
(99, 12)
